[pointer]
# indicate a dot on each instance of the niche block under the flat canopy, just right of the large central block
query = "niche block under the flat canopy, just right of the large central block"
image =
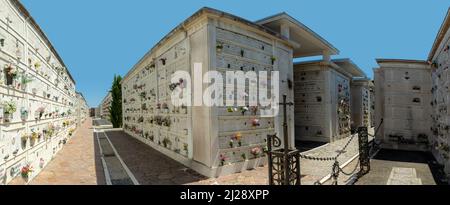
(322, 103)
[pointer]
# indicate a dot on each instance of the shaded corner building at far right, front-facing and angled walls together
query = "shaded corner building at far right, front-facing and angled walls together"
(412, 98)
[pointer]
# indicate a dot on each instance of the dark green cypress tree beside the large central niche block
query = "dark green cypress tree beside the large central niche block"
(116, 105)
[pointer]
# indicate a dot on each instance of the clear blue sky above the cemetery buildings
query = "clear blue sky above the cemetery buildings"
(100, 38)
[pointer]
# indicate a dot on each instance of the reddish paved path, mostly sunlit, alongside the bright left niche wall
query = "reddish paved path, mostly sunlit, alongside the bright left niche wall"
(77, 163)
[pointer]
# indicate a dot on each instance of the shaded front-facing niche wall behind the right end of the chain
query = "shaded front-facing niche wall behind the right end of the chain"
(403, 97)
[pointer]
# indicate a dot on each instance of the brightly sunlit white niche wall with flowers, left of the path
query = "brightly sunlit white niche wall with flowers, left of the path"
(37, 98)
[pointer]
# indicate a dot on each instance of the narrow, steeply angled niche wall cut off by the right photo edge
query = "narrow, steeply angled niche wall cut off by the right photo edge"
(441, 102)
